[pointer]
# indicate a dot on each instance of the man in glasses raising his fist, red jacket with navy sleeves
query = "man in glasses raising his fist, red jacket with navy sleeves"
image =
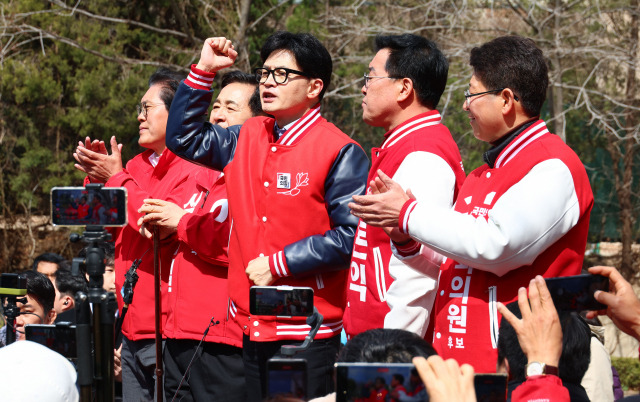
(289, 178)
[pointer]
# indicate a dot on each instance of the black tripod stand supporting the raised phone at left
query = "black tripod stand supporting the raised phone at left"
(96, 325)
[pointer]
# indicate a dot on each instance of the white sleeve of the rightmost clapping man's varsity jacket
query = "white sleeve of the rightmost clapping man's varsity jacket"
(529, 217)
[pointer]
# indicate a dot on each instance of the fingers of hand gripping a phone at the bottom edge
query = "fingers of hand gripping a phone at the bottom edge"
(446, 381)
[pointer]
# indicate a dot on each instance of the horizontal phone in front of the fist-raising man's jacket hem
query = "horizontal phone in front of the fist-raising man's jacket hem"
(281, 301)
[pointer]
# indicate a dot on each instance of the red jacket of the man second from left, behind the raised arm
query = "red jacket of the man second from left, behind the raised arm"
(197, 288)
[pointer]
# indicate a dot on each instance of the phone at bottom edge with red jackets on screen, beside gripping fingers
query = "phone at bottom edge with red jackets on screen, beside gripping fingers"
(377, 381)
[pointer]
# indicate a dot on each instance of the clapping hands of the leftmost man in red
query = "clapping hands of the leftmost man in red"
(97, 165)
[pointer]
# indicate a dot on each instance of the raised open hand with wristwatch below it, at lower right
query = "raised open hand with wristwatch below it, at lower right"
(539, 331)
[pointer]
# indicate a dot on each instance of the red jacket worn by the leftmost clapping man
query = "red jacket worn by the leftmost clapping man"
(143, 181)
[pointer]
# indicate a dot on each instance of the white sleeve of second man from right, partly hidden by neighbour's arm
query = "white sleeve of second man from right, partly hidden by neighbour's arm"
(410, 296)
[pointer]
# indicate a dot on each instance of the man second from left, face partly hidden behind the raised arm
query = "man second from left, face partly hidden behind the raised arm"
(200, 265)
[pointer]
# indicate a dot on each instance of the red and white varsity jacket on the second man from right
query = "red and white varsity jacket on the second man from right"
(420, 154)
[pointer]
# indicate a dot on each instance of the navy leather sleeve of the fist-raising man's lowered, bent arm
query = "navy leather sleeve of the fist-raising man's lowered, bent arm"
(332, 250)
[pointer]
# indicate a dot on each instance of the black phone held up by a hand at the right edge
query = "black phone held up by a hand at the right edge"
(575, 293)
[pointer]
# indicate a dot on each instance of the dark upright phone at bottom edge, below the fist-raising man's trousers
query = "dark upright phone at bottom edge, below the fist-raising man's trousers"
(287, 378)
